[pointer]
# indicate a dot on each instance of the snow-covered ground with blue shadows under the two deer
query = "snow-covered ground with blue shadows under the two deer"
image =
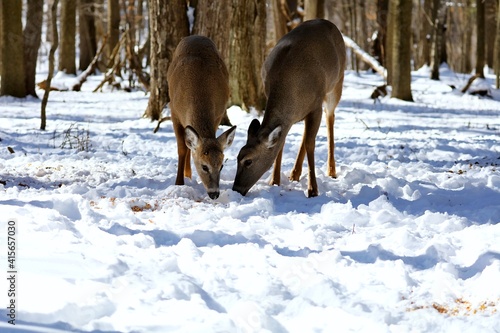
(407, 239)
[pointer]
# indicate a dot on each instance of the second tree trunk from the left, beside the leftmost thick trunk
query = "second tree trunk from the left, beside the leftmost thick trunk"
(32, 40)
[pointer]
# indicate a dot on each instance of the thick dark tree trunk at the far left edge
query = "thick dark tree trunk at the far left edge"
(12, 71)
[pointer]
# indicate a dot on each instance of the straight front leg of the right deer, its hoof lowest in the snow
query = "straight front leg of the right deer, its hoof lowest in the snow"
(312, 123)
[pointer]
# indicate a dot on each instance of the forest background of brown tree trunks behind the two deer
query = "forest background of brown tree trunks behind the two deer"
(132, 41)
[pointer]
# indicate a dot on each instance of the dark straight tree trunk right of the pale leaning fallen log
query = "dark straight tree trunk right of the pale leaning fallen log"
(401, 52)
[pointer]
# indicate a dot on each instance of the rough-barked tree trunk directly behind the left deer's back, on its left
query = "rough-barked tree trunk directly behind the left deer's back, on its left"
(168, 24)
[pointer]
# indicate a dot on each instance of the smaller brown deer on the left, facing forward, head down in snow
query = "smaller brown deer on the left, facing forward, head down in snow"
(198, 88)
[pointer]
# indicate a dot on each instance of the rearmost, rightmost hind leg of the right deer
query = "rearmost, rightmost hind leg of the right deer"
(332, 100)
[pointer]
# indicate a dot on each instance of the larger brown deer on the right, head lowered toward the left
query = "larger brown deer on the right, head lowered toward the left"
(304, 69)
